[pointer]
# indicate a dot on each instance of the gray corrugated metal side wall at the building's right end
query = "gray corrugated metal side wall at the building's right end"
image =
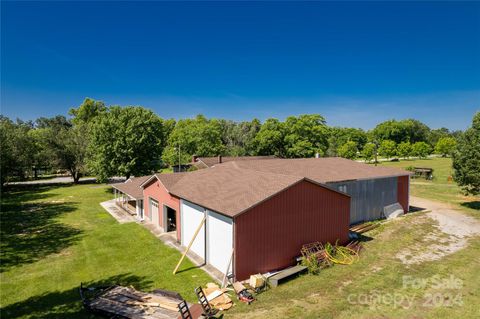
(369, 197)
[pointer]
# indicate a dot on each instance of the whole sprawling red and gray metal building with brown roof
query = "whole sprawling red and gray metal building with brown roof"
(264, 210)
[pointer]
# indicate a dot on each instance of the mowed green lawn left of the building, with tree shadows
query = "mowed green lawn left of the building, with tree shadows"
(54, 237)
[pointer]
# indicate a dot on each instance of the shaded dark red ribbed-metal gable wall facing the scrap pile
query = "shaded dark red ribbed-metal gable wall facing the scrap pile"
(270, 235)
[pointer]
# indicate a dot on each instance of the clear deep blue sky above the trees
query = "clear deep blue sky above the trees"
(356, 63)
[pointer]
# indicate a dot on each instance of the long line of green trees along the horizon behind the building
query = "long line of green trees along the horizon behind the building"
(108, 141)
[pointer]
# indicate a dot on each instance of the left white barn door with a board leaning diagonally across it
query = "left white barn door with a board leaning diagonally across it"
(192, 216)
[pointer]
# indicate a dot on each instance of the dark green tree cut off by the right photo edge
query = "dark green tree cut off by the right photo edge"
(466, 158)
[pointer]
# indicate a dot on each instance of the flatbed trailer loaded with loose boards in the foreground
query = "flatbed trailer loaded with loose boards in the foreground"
(128, 302)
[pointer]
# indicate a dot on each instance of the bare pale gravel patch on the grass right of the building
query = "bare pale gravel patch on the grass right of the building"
(451, 234)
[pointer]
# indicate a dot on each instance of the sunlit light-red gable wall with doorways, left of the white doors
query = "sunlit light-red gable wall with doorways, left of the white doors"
(158, 192)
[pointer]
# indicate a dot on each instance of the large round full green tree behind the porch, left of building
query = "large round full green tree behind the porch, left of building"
(125, 141)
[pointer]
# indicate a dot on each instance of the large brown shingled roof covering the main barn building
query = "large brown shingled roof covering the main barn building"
(238, 185)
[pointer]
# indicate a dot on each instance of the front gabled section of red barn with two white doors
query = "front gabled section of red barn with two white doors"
(264, 218)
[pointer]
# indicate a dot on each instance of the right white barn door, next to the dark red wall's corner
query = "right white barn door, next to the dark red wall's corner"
(219, 240)
